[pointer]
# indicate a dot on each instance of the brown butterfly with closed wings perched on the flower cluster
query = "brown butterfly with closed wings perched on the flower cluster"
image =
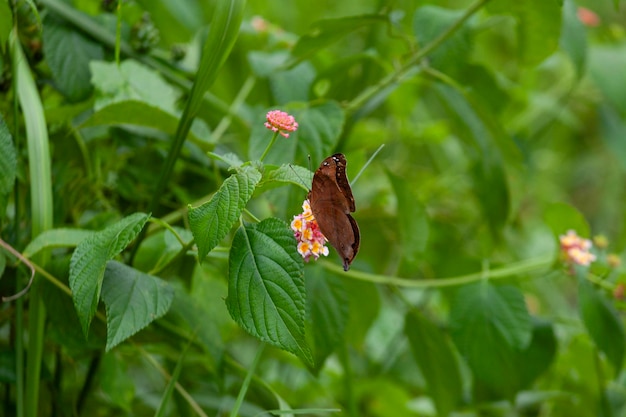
(331, 203)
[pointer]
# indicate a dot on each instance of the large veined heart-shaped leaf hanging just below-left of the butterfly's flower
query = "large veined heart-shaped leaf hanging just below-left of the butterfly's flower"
(266, 291)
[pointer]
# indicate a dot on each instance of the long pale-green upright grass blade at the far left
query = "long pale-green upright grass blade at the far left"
(41, 211)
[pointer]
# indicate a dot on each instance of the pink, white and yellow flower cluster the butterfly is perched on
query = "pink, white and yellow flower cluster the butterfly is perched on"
(311, 241)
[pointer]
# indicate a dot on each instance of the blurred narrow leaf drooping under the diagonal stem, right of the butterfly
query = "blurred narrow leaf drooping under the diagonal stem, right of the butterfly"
(481, 144)
